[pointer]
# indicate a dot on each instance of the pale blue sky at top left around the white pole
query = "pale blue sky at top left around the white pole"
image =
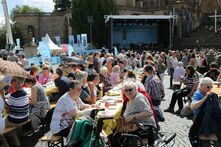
(44, 5)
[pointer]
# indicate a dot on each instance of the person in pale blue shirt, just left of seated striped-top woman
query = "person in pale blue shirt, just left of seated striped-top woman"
(179, 71)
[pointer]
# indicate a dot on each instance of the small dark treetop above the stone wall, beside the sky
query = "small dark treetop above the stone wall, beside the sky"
(62, 5)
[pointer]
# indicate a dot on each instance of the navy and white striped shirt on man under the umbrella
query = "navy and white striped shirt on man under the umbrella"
(18, 107)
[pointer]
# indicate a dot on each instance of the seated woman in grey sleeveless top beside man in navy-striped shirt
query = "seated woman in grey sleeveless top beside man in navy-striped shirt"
(39, 103)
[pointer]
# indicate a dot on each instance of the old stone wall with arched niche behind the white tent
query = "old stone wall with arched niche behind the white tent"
(53, 24)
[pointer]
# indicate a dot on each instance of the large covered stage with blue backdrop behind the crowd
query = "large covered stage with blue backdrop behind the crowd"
(125, 30)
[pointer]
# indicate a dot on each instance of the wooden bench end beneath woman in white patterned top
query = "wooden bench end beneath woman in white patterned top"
(53, 140)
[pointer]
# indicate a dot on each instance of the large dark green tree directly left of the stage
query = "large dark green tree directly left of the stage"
(81, 9)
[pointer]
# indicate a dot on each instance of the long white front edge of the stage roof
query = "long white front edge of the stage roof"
(107, 17)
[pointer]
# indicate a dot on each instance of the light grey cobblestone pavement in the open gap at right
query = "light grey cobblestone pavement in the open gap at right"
(173, 122)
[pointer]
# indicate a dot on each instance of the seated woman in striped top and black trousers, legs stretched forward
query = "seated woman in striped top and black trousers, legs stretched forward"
(191, 81)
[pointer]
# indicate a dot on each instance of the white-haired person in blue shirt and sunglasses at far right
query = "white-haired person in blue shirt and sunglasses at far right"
(200, 96)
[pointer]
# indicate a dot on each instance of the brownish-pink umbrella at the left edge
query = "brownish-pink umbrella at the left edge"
(12, 68)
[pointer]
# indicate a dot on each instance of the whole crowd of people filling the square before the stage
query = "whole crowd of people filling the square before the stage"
(141, 74)
